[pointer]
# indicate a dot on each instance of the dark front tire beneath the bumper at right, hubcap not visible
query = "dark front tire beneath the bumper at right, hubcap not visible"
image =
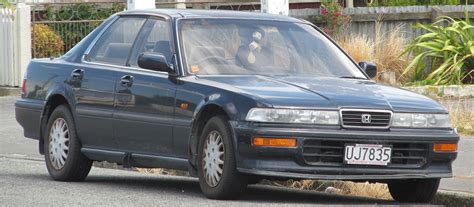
(414, 190)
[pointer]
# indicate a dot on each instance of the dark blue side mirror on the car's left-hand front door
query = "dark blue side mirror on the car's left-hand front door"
(154, 61)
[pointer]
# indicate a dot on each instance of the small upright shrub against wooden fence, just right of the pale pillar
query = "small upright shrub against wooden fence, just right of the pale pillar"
(331, 12)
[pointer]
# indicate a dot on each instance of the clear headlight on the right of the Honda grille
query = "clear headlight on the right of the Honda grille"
(421, 120)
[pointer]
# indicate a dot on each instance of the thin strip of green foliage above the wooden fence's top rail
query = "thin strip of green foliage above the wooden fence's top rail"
(412, 2)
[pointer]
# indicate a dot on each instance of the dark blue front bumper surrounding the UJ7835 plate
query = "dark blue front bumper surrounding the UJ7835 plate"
(413, 155)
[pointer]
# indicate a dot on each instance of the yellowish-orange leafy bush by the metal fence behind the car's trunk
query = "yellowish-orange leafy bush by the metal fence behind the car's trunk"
(46, 43)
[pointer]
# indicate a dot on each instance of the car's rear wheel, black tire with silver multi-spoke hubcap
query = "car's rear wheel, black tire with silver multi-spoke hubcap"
(72, 165)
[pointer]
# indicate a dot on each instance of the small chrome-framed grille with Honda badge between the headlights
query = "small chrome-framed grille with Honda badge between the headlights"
(362, 119)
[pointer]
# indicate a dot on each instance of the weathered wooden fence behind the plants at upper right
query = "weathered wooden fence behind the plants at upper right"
(364, 19)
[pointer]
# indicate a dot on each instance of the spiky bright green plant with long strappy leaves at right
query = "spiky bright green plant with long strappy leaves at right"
(449, 48)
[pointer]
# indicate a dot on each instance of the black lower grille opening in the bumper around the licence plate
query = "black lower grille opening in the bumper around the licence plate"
(331, 153)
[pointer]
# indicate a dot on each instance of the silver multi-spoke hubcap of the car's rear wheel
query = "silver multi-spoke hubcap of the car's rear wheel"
(58, 143)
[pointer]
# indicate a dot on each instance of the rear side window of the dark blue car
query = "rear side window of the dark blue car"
(114, 46)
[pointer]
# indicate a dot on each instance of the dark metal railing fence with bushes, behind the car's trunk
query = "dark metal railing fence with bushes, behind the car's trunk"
(60, 26)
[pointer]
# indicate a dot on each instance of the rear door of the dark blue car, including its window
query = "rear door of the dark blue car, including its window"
(95, 81)
